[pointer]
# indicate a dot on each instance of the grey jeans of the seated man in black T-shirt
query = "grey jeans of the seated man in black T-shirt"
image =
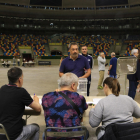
(30, 132)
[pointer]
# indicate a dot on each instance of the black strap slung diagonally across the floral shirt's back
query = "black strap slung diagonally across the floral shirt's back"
(73, 105)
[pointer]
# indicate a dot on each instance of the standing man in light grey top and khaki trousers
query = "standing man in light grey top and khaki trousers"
(101, 66)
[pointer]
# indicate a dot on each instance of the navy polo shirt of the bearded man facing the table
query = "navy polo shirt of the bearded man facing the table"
(77, 67)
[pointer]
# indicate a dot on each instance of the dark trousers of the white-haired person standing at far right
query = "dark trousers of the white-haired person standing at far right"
(132, 88)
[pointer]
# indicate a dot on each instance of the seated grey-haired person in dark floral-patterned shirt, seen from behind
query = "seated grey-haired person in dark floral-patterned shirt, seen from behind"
(58, 111)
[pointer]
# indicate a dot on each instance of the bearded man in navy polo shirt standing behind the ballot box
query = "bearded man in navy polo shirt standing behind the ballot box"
(75, 63)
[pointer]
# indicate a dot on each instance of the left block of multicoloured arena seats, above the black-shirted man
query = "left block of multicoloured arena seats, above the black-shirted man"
(10, 43)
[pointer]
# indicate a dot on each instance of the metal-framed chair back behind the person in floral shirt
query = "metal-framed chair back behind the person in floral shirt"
(70, 134)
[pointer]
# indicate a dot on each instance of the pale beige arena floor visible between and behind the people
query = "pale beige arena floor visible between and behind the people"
(43, 79)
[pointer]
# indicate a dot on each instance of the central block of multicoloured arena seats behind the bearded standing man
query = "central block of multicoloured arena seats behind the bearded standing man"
(99, 43)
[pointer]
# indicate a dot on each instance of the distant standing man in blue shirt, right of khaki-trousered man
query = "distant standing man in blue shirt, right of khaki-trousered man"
(113, 66)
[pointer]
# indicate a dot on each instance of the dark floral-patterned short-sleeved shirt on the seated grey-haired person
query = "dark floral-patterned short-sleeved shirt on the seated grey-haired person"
(58, 111)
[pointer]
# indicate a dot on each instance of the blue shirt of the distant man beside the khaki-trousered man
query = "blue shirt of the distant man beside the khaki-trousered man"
(113, 62)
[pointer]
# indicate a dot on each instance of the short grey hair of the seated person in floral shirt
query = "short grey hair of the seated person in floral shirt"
(68, 79)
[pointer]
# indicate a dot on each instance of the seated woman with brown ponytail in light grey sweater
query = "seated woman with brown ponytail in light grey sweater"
(114, 108)
